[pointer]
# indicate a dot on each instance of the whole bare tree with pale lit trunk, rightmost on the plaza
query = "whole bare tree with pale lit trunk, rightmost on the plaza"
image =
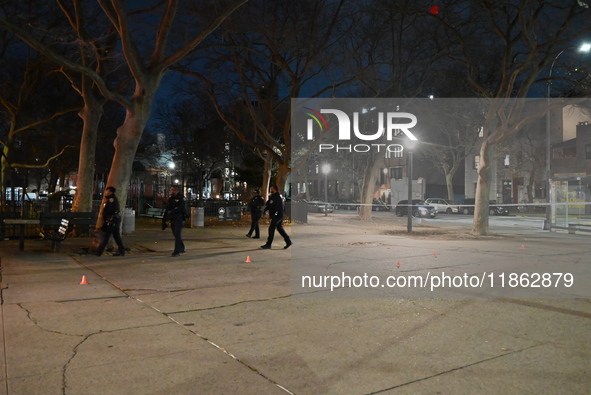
(504, 47)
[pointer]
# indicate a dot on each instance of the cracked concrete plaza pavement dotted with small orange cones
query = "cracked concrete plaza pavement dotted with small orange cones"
(210, 323)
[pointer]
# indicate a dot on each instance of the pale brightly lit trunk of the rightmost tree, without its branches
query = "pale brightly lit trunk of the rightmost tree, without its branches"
(480, 224)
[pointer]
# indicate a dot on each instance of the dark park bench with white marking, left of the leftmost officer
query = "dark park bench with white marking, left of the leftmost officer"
(57, 226)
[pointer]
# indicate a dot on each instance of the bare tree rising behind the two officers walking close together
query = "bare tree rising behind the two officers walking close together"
(273, 51)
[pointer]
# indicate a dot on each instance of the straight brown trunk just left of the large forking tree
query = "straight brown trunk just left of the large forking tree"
(91, 115)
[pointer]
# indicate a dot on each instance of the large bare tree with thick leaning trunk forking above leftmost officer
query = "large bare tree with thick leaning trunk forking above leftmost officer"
(147, 65)
